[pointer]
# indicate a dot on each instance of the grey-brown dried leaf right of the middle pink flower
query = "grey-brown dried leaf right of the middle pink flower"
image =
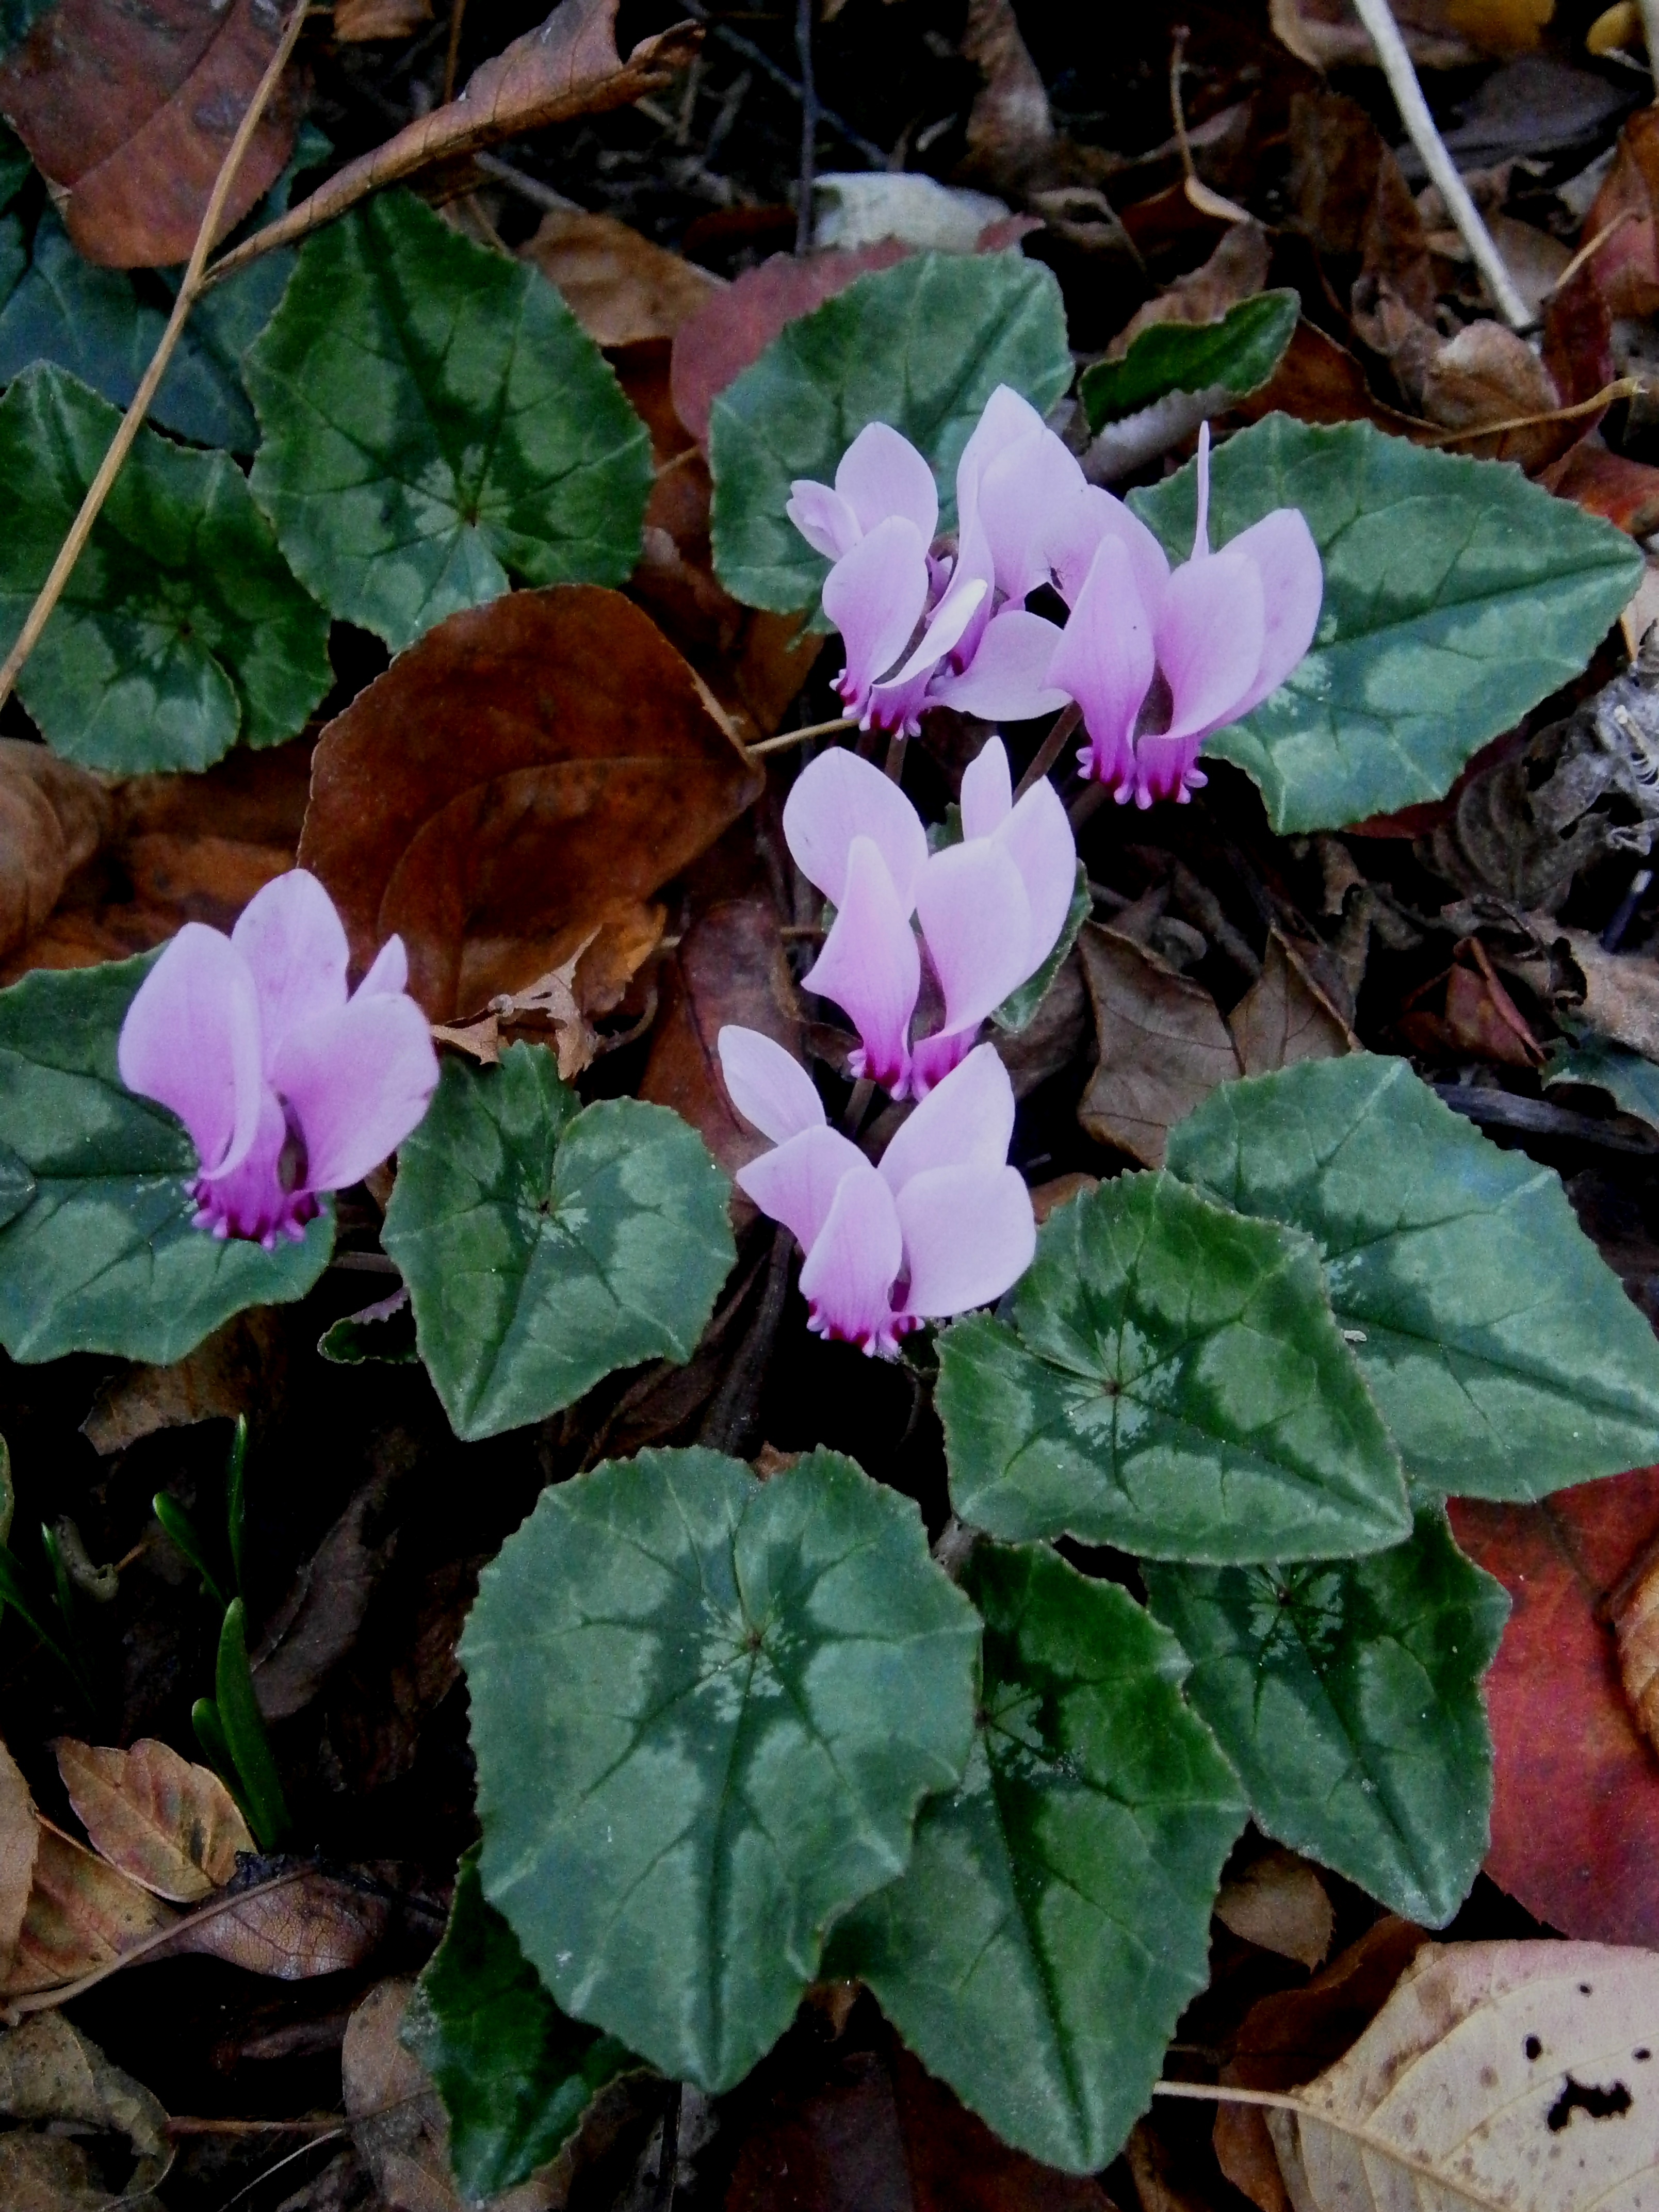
(1162, 1045)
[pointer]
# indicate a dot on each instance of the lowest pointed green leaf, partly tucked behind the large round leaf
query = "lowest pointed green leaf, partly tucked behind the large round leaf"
(1056, 1912)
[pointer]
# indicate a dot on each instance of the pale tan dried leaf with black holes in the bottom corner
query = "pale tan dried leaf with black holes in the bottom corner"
(1501, 2076)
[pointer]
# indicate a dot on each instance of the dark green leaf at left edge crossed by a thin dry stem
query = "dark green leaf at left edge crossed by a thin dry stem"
(182, 627)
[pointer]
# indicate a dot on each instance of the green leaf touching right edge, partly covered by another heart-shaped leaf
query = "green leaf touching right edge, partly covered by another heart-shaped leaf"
(1503, 1353)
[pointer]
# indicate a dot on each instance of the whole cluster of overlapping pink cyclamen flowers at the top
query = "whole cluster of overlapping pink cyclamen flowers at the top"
(1156, 658)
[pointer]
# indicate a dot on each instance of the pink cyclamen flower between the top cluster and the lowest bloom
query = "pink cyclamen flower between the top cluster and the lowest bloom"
(990, 910)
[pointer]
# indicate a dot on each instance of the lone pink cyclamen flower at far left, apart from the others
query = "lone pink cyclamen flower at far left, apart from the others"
(286, 1085)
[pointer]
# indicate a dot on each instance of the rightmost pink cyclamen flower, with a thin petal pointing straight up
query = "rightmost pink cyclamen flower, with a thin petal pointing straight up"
(1160, 660)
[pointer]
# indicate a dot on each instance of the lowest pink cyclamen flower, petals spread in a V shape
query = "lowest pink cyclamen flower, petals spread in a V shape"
(943, 1224)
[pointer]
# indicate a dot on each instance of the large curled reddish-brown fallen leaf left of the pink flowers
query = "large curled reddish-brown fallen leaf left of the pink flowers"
(525, 773)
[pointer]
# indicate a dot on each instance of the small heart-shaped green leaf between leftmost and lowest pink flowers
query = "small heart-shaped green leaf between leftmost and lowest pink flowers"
(547, 1244)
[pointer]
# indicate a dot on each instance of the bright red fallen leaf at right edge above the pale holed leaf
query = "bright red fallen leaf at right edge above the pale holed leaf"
(1576, 1819)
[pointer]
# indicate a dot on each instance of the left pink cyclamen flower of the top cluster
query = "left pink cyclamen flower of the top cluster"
(935, 629)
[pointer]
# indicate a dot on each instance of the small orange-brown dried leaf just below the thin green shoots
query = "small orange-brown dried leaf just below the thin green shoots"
(156, 1817)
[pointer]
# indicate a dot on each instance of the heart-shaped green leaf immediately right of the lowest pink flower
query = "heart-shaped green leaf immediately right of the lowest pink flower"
(1173, 1384)
